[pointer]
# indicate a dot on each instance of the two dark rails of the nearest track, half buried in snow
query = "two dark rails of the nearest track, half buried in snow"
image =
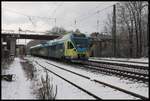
(86, 77)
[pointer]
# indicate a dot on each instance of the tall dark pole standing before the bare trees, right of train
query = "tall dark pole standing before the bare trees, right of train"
(114, 31)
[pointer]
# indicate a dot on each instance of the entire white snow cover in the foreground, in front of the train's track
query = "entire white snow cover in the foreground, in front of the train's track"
(21, 88)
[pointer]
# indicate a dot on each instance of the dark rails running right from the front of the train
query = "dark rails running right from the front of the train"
(140, 73)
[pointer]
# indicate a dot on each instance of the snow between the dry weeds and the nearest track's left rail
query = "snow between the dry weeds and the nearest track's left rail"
(64, 89)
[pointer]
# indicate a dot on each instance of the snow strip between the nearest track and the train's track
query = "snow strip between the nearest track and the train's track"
(139, 88)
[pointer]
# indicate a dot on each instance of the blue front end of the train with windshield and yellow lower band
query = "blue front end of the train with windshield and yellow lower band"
(80, 42)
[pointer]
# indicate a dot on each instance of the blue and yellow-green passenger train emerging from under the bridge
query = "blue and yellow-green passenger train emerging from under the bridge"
(69, 47)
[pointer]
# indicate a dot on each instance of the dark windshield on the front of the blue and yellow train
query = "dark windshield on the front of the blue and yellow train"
(81, 43)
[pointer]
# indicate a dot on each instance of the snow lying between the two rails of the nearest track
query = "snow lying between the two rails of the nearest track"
(93, 87)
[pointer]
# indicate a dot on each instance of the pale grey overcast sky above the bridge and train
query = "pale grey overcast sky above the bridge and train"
(28, 15)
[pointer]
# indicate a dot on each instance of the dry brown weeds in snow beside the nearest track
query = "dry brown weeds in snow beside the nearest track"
(43, 88)
